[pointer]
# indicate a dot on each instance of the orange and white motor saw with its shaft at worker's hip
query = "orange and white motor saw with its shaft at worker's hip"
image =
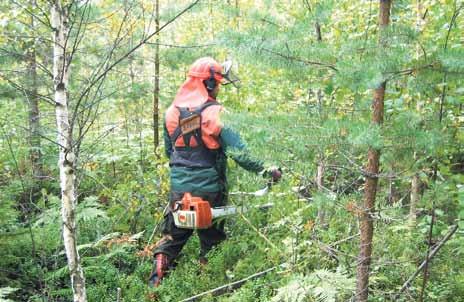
(195, 213)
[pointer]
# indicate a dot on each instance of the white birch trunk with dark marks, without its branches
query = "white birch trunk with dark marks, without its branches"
(66, 163)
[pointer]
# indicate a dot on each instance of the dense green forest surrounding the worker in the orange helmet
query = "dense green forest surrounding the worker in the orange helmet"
(359, 102)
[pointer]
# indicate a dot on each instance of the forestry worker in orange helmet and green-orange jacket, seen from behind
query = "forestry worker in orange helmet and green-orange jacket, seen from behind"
(198, 159)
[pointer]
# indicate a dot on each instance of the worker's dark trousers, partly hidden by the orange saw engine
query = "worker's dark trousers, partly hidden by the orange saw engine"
(175, 238)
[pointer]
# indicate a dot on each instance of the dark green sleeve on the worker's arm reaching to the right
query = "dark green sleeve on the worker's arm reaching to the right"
(236, 149)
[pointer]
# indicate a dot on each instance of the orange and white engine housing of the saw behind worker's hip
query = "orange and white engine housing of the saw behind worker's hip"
(193, 213)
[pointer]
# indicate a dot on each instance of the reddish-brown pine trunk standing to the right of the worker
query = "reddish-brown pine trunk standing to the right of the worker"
(372, 170)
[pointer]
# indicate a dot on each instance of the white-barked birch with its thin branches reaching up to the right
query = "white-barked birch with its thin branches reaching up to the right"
(66, 119)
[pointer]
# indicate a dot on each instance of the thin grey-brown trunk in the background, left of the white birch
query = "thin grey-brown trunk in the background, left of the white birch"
(35, 153)
